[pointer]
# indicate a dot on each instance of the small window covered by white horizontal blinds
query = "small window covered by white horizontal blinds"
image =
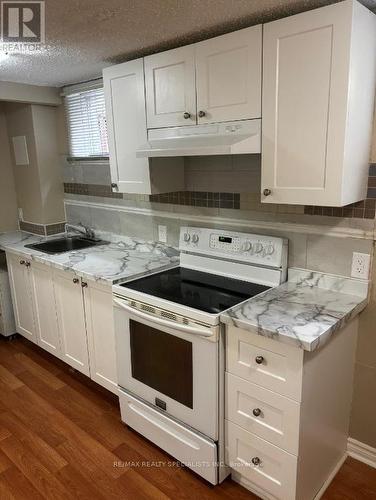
(86, 119)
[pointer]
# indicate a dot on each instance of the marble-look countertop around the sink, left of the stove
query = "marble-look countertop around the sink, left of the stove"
(124, 258)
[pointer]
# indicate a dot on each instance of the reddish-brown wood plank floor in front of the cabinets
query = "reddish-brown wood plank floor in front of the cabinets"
(61, 438)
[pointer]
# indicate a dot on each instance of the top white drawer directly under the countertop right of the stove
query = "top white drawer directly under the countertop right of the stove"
(266, 362)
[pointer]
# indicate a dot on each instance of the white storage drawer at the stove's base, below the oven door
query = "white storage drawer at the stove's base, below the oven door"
(188, 447)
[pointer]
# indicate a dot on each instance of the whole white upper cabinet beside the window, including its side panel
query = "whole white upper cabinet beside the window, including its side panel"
(124, 89)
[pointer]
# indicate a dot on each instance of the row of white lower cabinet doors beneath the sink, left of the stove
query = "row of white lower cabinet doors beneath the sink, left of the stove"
(65, 315)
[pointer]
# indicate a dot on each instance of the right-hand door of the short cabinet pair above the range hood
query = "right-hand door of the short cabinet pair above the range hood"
(229, 76)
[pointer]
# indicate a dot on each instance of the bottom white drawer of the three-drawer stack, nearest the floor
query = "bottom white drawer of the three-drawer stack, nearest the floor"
(276, 472)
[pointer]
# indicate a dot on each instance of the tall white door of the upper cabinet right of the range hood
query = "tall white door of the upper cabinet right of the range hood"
(305, 87)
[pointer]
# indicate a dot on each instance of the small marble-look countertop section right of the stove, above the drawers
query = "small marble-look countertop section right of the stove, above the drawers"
(305, 311)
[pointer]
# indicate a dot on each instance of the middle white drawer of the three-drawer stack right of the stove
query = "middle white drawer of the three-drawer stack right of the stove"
(267, 414)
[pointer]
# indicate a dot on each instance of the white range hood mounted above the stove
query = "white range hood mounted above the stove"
(238, 137)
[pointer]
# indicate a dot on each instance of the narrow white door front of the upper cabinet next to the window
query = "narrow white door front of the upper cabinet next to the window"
(126, 120)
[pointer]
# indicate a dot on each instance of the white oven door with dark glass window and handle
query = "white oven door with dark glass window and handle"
(170, 365)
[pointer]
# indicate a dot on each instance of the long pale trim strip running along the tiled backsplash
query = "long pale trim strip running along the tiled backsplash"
(339, 232)
